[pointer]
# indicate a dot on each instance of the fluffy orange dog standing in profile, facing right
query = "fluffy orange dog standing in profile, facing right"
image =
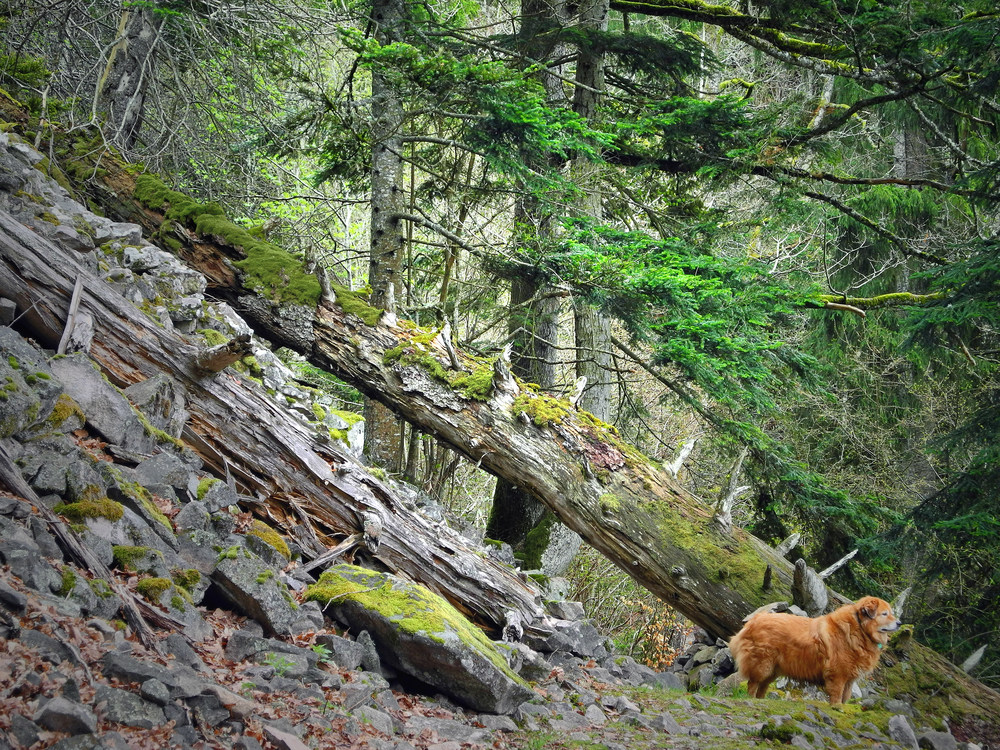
(832, 650)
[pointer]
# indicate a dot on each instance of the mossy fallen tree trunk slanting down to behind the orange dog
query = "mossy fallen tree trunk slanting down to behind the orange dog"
(620, 502)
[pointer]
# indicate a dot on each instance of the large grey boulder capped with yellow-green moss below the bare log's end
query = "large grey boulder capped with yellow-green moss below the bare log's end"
(422, 635)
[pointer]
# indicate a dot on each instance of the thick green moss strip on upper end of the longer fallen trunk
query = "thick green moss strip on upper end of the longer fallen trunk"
(268, 269)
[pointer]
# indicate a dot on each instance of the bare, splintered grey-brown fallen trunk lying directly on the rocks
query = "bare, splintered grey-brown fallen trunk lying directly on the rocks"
(235, 427)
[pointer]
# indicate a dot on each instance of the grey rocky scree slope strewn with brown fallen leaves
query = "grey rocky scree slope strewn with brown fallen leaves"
(244, 653)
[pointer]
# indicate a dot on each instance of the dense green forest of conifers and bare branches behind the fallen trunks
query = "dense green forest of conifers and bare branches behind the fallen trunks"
(765, 234)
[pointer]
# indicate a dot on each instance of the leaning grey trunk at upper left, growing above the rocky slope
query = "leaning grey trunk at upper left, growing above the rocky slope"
(129, 73)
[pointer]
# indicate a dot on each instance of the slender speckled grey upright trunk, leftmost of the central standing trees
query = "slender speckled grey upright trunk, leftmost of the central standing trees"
(383, 431)
